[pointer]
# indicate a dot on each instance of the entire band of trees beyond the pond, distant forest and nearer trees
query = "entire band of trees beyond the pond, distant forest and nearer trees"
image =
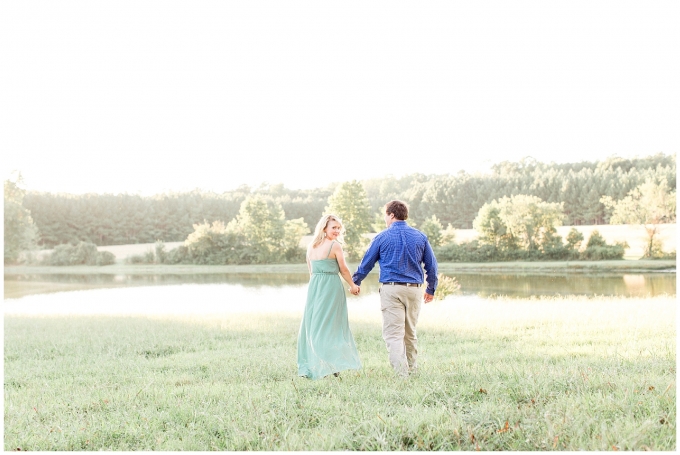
(266, 224)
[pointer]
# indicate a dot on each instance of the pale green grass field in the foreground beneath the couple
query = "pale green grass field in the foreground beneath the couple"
(495, 374)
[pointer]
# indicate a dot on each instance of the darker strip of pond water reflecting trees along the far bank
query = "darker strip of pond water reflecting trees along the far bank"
(480, 284)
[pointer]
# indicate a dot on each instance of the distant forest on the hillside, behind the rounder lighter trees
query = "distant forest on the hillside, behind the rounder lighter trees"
(107, 219)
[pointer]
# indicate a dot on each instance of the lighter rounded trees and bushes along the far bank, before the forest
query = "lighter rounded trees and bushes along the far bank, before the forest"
(519, 227)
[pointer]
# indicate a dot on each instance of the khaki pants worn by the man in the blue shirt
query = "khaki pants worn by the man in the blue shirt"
(400, 307)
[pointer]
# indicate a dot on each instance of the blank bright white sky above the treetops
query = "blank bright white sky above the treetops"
(153, 96)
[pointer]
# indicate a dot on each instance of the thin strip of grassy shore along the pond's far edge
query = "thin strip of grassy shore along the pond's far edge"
(515, 267)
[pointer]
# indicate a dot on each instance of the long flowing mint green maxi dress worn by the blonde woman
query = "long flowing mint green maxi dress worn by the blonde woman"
(325, 342)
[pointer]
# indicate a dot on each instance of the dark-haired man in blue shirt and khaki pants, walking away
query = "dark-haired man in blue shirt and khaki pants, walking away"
(402, 251)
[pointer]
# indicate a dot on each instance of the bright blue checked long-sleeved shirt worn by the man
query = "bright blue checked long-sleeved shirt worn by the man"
(401, 251)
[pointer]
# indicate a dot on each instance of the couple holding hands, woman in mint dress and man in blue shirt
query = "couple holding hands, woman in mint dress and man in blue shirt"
(325, 342)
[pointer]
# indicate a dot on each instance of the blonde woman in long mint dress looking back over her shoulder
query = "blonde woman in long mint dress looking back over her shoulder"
(325, 342)
